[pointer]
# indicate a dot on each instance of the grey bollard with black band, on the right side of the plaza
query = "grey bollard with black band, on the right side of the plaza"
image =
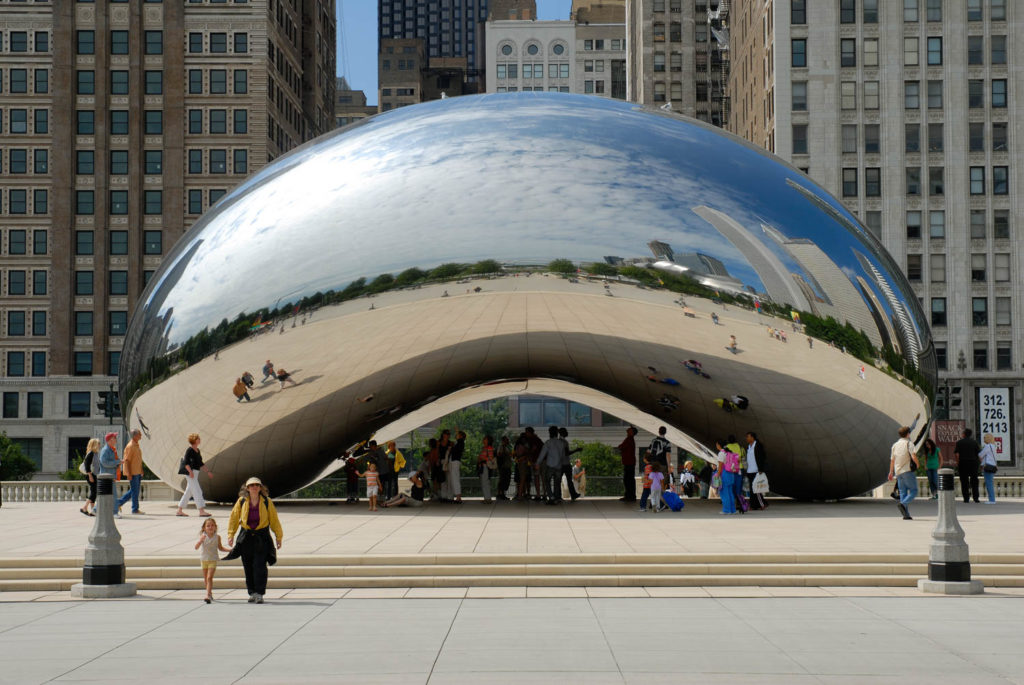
(949, 558)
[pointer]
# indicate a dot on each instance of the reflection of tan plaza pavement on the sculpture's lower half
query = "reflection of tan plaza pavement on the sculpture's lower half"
(415, 345)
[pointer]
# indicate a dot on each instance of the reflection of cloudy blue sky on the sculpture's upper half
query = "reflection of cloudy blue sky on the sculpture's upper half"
(562, 177)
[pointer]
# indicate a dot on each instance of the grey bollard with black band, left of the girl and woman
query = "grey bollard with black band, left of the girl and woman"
(104, 573)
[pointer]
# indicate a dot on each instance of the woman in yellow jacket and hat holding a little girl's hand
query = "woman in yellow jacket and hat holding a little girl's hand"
(257, 515)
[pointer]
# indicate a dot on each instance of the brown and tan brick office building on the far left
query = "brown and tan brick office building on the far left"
(123, 122)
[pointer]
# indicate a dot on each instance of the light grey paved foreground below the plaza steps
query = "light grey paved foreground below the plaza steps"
(447, 641)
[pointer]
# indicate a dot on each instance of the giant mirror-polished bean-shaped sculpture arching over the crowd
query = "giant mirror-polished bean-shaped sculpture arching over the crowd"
(628, 259)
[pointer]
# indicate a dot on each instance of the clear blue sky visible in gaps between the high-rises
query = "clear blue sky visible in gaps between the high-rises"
(358, 39)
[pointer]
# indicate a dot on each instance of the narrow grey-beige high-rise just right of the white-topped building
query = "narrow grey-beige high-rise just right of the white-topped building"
(678, 57)
